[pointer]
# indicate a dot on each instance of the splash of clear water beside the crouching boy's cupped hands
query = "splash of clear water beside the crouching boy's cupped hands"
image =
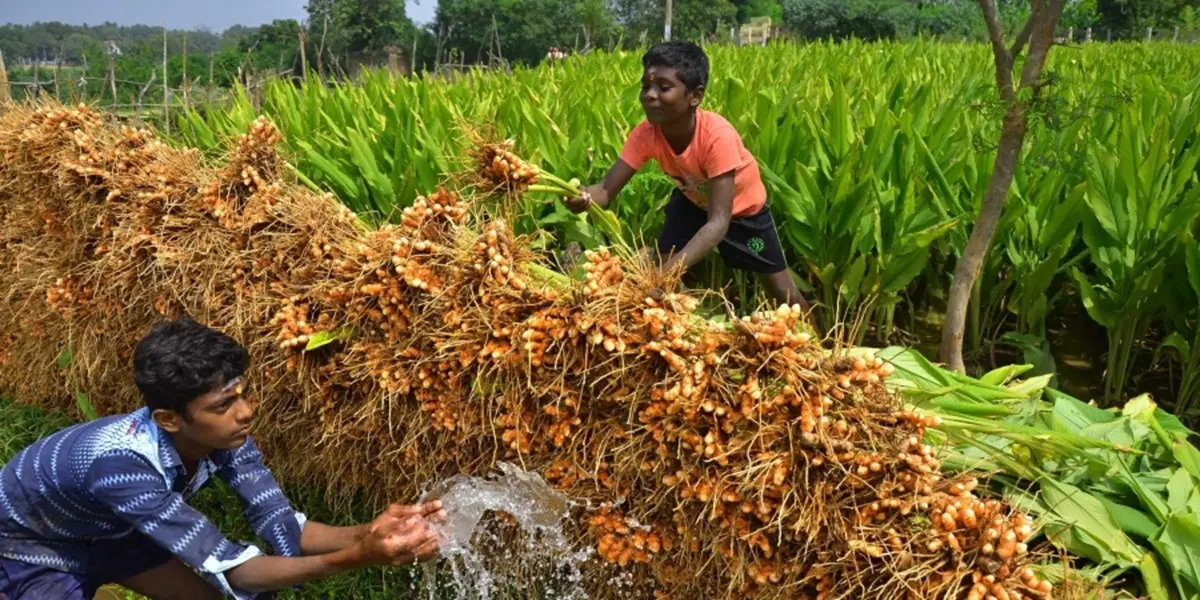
(481, 565)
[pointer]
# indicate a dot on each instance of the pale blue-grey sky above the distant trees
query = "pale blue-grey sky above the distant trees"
(215, 15)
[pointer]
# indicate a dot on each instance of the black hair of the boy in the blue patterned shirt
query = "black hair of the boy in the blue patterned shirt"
(181, 361)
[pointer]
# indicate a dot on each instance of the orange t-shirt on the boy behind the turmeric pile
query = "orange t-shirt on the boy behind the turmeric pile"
(716, 149)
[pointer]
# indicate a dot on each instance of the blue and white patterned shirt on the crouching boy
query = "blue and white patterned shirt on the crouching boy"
(121, 475)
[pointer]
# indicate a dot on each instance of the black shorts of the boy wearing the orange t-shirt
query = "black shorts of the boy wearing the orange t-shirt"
(752, 243)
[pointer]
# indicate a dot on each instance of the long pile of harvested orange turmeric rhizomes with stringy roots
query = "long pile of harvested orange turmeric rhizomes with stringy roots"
(717, 460)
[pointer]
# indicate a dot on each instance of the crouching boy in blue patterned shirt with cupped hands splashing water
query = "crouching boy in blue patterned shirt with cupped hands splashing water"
(106, 502)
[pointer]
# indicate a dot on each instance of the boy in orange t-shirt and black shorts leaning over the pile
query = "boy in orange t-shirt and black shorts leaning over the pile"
(719, 199)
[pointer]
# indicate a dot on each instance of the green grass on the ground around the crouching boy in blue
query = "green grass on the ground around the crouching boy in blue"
(21, 427)
